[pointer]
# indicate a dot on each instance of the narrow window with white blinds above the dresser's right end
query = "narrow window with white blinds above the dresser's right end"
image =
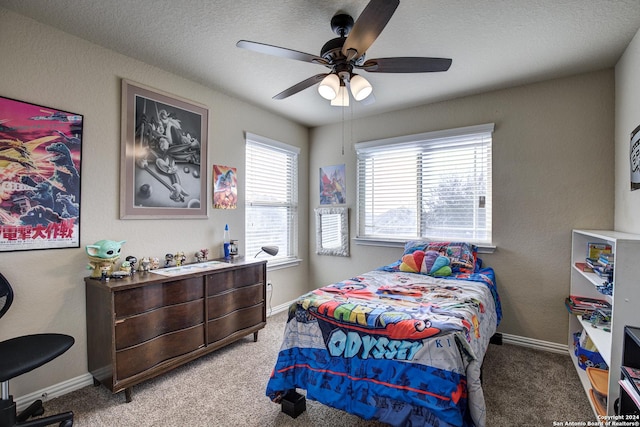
(271, 213)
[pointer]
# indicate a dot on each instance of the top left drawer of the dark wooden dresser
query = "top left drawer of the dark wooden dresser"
(145, 298)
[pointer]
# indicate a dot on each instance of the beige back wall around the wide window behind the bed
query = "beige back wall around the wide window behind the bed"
(552, 171)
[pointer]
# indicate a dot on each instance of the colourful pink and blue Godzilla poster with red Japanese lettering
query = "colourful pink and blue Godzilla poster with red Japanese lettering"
(40, 150)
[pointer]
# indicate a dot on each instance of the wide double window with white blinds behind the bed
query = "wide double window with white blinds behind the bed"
(435, 185)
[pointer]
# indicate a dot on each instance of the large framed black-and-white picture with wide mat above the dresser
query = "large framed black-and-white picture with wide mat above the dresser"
(164, 155)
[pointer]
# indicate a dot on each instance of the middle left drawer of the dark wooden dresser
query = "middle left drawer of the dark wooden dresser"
(143, 327)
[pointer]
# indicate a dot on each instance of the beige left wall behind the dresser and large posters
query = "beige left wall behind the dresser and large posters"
(48, 67)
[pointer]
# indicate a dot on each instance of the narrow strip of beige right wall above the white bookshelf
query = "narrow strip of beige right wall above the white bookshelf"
(627, 210)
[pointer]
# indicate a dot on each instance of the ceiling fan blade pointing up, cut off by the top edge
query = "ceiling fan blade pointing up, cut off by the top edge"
(368, 27)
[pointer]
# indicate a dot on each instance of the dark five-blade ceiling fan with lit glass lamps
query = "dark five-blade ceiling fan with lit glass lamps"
(347, 52)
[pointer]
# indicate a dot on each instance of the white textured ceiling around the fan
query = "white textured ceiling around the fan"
(493, 43)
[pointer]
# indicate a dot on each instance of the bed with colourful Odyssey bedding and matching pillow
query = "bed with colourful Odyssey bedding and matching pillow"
(398, 344)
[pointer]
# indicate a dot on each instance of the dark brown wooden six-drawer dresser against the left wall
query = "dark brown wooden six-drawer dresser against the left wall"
(147, 324)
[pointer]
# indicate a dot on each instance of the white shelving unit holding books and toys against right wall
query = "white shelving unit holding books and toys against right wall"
(625, 301)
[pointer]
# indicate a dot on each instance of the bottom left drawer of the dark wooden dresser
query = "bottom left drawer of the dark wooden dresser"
(135, 360)
